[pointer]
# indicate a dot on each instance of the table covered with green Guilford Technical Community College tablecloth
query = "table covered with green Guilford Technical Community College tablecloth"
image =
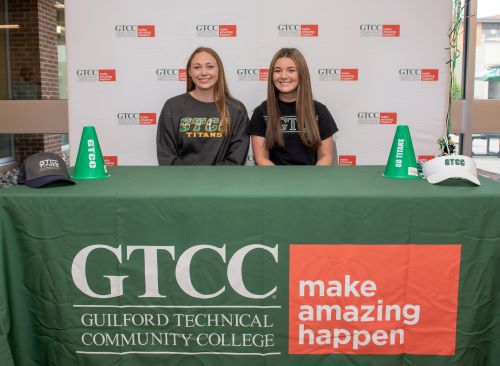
(210, 266)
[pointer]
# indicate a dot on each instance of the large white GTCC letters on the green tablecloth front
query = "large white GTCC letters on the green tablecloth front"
(182, 270)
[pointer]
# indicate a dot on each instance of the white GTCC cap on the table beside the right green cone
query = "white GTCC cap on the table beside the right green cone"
(451, 167)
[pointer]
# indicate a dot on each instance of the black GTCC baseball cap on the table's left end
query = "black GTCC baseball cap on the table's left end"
(44, 168)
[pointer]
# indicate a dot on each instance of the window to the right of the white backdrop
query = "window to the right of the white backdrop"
(476, 96)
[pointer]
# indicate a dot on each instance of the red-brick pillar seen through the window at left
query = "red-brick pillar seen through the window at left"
(34, 65)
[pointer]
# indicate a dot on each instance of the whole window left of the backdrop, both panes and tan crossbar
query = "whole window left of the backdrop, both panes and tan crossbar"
(28, 69)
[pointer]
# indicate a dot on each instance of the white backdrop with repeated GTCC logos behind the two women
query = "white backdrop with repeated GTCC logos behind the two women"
(125, 58)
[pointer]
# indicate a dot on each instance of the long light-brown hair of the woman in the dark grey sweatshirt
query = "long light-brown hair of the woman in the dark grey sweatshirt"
(221, 91)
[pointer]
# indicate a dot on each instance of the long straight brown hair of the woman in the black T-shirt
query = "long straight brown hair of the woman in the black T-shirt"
(305, 111)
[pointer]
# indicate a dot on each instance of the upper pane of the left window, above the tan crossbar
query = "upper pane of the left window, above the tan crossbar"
(26, 64)
